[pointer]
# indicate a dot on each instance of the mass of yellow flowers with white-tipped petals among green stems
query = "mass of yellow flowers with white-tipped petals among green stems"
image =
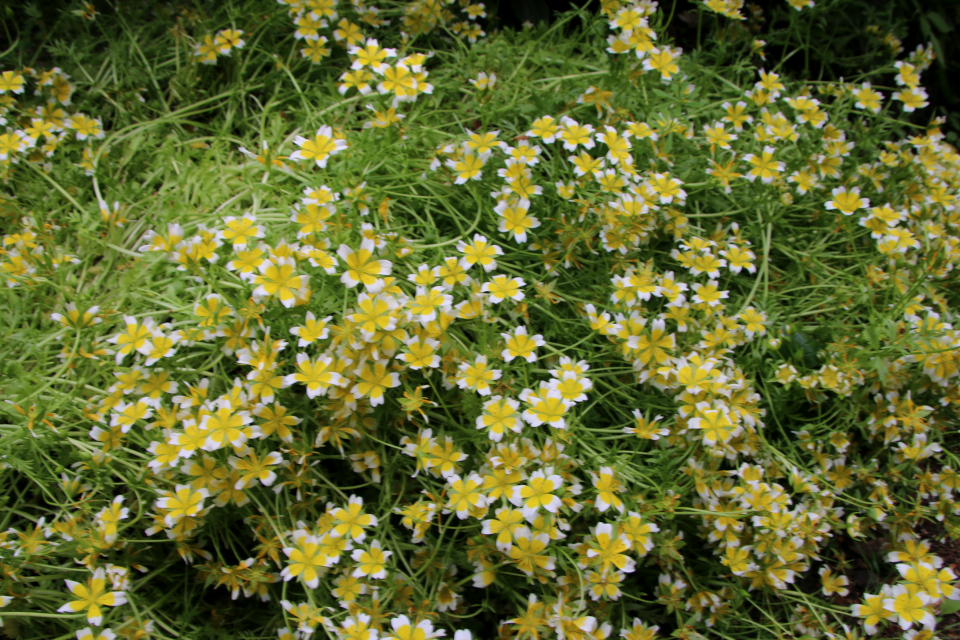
(299, 366)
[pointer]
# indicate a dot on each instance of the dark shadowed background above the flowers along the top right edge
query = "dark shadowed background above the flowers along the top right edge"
(842, 47)
